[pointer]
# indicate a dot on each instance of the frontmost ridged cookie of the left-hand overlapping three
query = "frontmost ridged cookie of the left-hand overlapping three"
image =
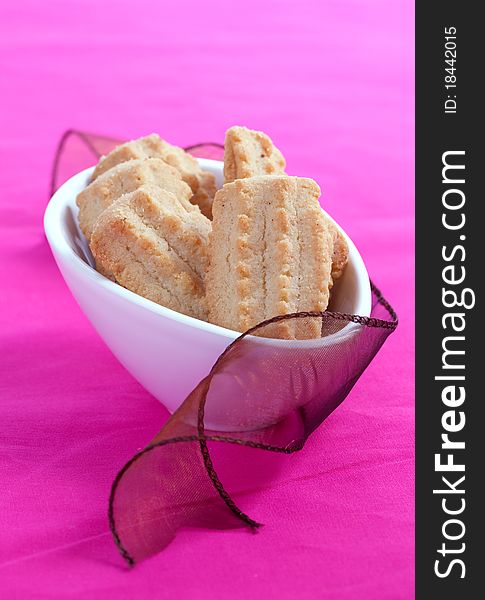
(150, 243)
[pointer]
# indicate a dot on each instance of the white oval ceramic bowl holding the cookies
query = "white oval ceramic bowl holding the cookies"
(167, 352)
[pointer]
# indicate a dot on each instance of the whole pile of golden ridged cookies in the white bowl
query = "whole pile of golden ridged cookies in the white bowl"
(259, 247)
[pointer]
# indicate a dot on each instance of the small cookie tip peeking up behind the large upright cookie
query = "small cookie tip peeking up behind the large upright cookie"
(249, 153)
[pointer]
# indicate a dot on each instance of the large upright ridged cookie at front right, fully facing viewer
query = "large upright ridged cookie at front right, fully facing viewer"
(270, 253)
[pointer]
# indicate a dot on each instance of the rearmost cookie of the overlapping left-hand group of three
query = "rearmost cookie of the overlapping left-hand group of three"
(202, 183)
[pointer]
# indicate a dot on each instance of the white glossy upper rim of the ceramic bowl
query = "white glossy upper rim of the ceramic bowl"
(62, 249)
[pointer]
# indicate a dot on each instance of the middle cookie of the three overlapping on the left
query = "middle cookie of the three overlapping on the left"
(123, 178)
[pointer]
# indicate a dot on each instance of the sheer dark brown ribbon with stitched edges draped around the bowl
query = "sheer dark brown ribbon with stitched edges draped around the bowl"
(262, 394)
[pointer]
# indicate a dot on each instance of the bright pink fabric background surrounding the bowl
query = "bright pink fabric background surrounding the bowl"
(332, 82)
